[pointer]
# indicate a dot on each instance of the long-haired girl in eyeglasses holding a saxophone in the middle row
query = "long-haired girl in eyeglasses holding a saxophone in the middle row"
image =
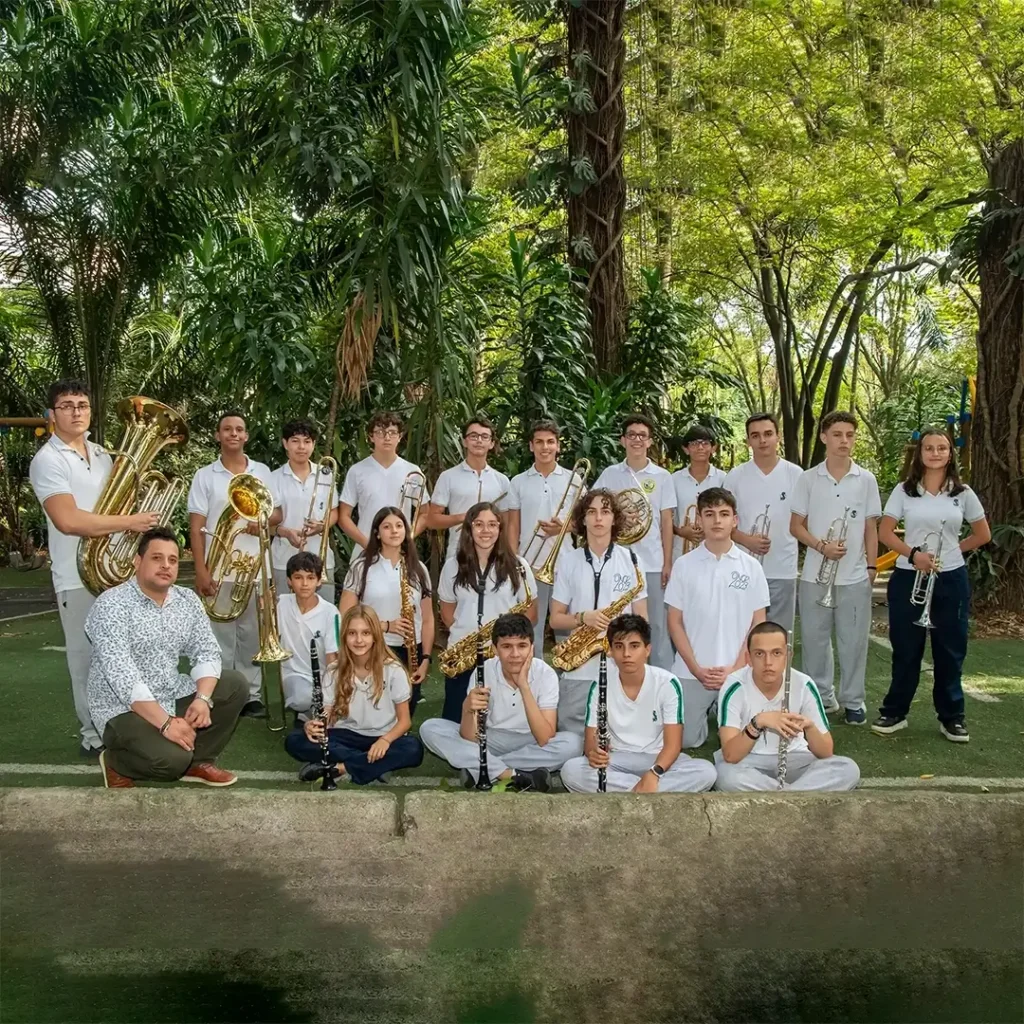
(485, 580)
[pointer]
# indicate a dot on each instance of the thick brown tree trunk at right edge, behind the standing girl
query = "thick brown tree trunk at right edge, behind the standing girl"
(999, 432)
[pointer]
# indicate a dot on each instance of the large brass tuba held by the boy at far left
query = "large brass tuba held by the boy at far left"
(134, 487)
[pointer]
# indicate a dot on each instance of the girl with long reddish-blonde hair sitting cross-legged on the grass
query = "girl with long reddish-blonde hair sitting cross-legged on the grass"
(367, 696)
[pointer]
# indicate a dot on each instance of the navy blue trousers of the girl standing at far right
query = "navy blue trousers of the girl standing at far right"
(951, 610)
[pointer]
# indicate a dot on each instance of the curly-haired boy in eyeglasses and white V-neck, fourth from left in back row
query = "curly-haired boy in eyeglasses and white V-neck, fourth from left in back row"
(376, 482)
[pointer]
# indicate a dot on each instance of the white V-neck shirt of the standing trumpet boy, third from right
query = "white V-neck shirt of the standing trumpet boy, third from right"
(753, 491)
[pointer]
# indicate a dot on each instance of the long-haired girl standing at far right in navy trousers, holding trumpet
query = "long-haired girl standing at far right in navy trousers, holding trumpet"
(933, 503)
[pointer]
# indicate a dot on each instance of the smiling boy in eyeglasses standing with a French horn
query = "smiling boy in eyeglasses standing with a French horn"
(654, 550)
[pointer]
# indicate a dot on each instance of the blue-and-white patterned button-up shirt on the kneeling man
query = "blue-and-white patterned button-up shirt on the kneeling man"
(137, 645)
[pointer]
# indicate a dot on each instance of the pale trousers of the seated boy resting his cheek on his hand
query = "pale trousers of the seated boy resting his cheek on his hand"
(505, 749)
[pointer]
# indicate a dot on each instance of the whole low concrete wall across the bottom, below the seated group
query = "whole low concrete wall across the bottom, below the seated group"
(177, 905)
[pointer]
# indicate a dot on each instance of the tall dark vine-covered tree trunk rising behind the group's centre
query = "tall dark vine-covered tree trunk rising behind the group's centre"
(598, 135)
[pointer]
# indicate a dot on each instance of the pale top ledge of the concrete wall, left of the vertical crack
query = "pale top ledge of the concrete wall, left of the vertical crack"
(197, 810)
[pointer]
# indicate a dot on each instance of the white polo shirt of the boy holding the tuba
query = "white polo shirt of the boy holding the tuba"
(58, 470)
